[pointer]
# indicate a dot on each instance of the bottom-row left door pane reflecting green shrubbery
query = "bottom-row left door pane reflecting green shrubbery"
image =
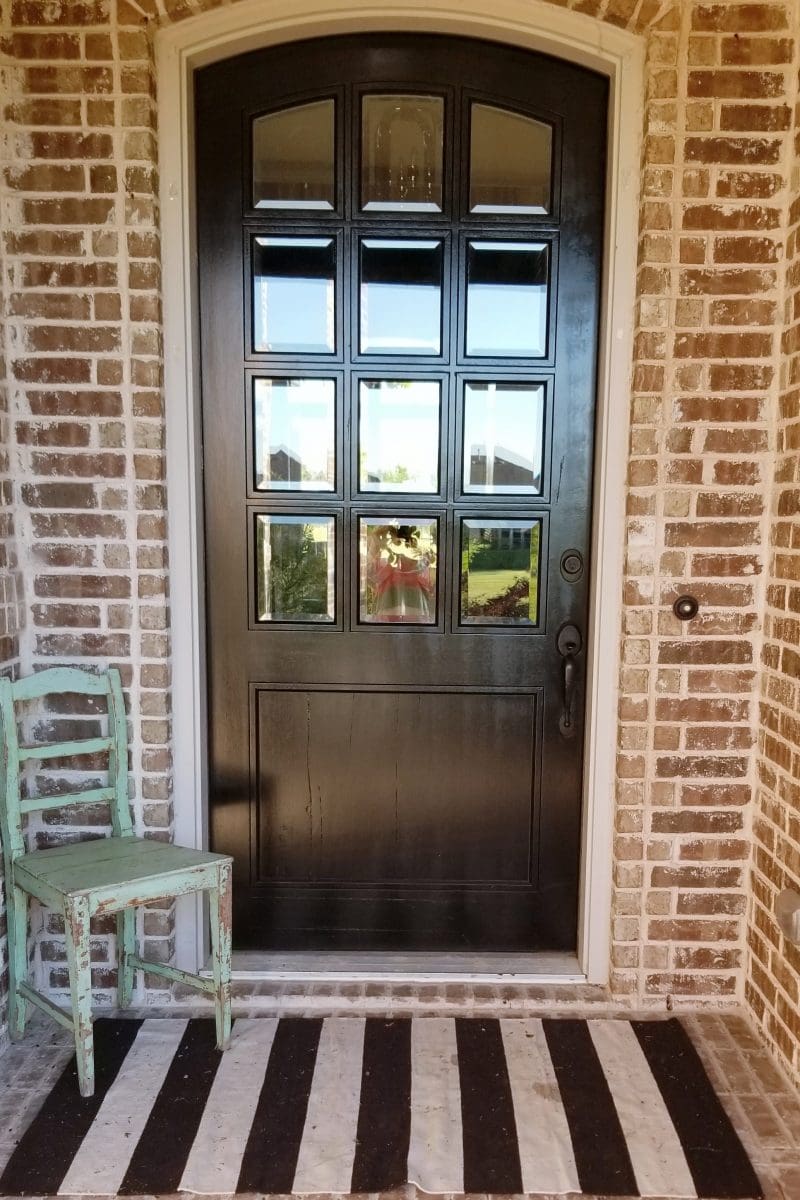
(296, 565)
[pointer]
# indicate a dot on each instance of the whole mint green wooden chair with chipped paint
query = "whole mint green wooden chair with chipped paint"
(88, 879)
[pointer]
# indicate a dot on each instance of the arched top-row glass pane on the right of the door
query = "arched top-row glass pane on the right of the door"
(509, 163)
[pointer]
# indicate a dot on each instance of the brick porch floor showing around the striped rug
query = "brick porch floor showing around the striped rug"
(761, 1102)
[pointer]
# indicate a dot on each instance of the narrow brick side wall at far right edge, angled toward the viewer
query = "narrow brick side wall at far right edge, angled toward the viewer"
(774, 965)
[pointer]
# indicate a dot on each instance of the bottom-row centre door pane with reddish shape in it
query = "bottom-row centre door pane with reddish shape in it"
(398, 571)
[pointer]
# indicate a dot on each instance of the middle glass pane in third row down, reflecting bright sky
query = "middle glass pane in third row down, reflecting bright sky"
(399, 436)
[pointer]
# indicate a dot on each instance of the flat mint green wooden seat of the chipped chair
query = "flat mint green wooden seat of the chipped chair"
(105, 865)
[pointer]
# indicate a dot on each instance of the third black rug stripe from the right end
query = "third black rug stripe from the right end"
(490, 1132)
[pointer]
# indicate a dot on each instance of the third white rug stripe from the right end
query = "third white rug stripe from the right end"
(436, 1161)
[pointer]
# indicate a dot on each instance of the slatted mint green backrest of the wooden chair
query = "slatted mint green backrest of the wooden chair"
(62, 681)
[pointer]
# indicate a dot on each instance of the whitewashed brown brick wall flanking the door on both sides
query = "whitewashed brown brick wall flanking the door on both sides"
(80, 194)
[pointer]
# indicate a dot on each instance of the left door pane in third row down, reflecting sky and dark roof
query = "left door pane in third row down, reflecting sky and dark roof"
(294, 423)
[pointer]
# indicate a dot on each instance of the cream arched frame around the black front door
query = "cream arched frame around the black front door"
(528, 25)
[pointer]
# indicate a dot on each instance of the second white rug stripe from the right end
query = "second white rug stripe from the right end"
(546, 1155)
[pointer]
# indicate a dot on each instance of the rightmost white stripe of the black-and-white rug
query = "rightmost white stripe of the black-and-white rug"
(659, 1162)
